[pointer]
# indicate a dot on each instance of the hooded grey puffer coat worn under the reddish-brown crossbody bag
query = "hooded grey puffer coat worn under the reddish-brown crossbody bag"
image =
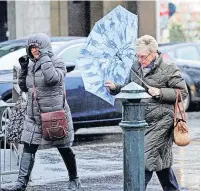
(48, 76)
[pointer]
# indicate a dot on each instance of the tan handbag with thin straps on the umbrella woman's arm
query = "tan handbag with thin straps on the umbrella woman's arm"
(181, 130)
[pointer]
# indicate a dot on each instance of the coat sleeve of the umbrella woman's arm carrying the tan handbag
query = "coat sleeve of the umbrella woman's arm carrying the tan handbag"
(175, 81)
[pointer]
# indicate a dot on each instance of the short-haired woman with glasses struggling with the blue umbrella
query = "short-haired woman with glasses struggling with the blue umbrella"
(164, 78)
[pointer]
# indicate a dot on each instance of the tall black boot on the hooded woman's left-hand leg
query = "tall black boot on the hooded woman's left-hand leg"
(26, 166)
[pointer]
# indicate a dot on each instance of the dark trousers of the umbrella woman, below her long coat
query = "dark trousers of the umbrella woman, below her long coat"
(166, 177)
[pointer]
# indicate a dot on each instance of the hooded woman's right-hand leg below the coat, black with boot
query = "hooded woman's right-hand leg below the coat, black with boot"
(70, 162)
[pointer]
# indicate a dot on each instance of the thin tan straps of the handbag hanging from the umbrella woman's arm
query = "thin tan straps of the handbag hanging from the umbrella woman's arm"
(179, 107)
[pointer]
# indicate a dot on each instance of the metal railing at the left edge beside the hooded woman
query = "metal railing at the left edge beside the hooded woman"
(9, 152)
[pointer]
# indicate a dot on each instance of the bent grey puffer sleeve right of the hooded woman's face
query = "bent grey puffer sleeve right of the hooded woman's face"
(53, 73)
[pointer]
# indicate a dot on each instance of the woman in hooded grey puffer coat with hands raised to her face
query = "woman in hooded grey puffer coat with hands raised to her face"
(46, 71)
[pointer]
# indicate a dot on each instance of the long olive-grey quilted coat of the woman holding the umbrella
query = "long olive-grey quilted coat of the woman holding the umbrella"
(159, 112)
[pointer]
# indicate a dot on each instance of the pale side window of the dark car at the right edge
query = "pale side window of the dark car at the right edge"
(187, 53)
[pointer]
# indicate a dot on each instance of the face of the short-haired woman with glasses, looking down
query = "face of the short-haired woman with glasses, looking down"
(145, 58)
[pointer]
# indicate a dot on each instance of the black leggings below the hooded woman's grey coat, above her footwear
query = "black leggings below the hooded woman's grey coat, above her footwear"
(67, 155)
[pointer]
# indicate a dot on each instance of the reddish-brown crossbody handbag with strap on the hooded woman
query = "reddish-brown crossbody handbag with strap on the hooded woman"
(54, 124)
